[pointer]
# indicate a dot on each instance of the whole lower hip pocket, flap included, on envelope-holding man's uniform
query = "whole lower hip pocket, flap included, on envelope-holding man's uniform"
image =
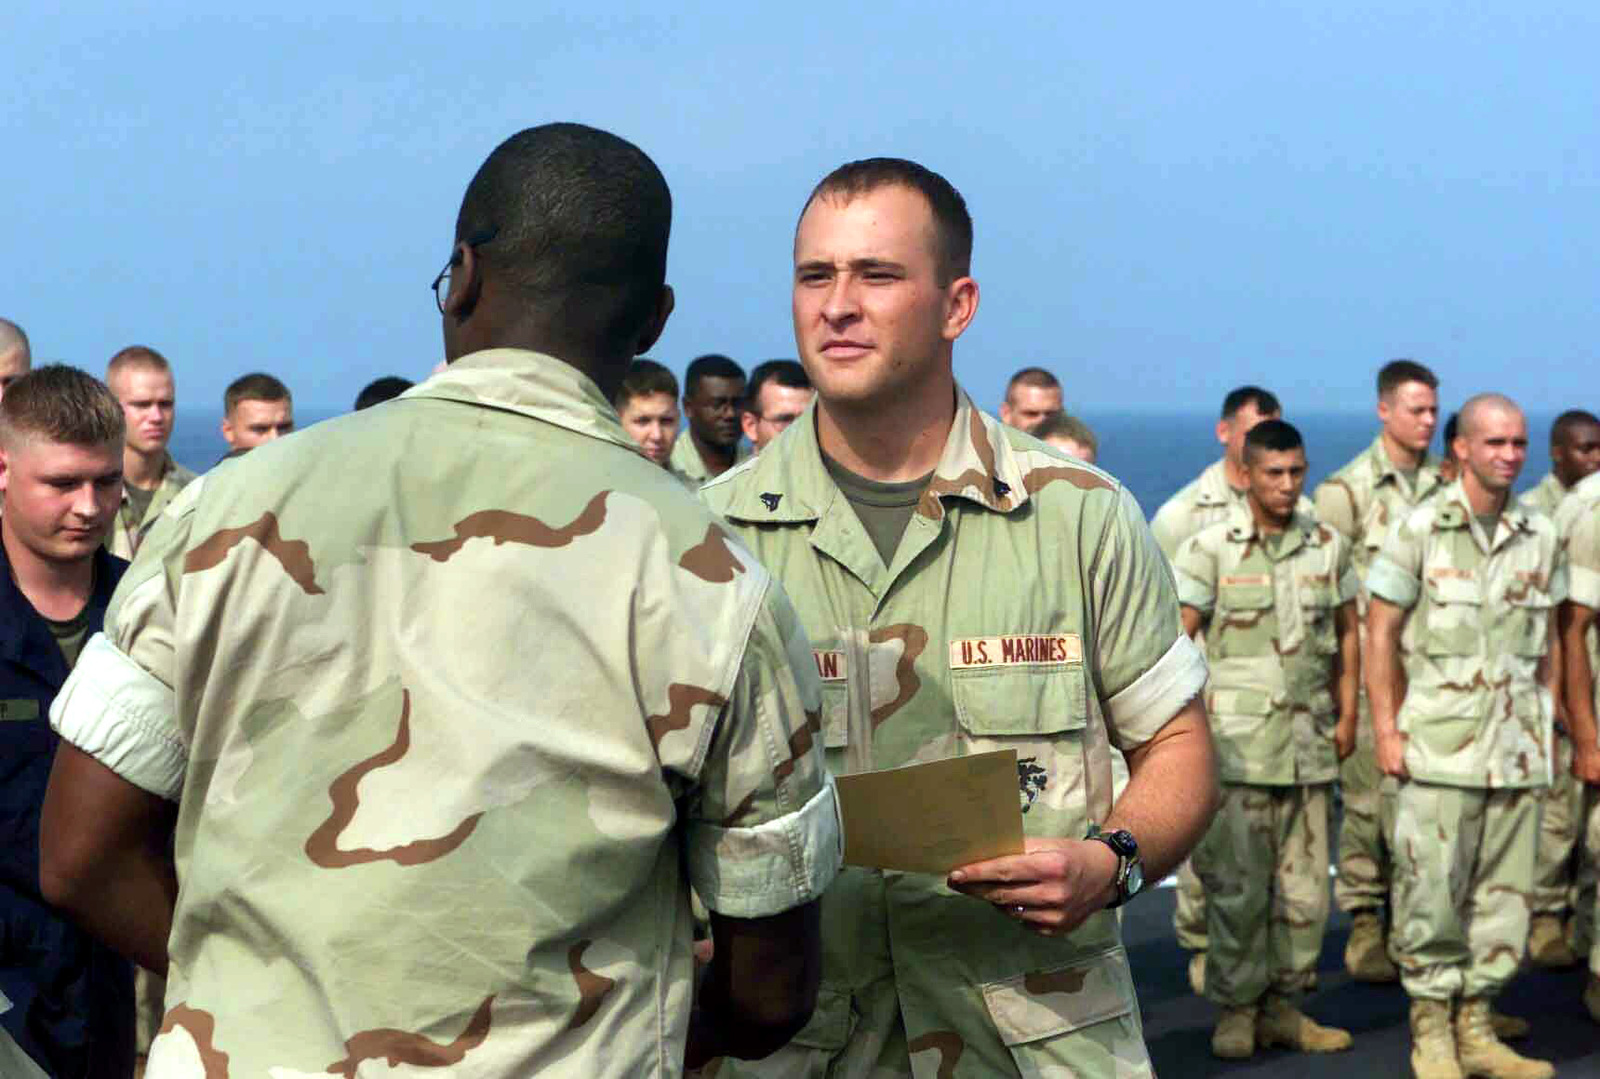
(1081, 1014)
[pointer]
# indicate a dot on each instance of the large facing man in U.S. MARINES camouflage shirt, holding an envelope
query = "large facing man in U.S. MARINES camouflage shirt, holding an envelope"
(967, 590)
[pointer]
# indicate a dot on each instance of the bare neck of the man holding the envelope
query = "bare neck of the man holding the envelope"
(890, 443)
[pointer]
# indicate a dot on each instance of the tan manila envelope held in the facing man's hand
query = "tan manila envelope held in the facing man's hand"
(932, 817)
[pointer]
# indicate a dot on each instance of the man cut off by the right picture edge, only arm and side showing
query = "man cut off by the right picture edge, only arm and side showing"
(1580, 526)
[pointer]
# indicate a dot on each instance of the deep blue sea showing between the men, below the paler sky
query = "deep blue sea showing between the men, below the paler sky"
(1153, 454)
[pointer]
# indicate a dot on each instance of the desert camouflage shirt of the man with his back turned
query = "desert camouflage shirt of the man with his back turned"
(452, 736)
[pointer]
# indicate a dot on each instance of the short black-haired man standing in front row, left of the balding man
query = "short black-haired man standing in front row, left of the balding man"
(1276, 595)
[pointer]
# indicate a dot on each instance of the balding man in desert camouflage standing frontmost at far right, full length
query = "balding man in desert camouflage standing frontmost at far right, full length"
(1460, 635)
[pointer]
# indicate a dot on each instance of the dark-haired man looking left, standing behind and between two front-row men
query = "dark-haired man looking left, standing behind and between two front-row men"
(1362, 500)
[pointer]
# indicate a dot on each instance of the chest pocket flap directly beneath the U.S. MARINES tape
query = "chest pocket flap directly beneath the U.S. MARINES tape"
(1001, 702)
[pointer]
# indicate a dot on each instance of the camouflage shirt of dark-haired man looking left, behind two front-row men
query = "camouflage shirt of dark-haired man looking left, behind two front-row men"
(1367, 497)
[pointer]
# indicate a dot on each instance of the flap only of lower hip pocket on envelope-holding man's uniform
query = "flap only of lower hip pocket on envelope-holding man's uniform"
(1062, 1000)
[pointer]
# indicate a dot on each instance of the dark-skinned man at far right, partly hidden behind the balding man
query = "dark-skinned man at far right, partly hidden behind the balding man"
(1575, 454)
